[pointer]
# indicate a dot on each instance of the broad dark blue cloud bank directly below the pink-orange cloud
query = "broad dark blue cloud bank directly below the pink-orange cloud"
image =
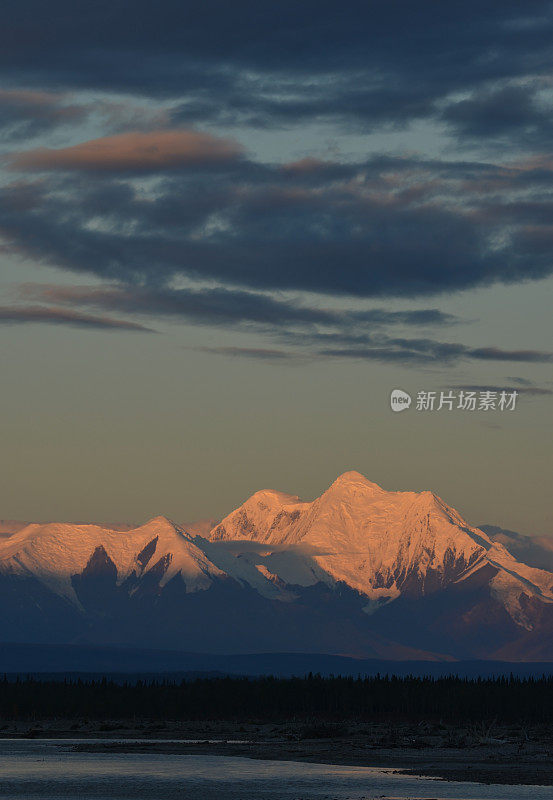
(384, 227)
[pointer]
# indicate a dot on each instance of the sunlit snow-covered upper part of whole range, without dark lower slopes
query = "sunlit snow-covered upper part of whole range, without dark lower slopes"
(380, 544)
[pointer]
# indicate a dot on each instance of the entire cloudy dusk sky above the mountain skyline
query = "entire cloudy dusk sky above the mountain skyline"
(229, 231)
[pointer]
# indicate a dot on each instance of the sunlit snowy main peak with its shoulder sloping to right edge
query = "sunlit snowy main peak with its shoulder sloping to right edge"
(379, 543)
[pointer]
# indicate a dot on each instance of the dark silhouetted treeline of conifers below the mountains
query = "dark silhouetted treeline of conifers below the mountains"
(270, 699)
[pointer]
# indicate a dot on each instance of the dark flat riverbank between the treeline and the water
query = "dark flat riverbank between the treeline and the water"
(479, 753)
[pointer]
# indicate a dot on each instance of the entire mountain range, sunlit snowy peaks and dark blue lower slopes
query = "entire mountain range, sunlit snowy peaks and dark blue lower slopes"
(359, 571)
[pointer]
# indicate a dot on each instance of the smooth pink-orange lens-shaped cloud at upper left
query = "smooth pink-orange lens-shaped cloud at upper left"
(133, 152)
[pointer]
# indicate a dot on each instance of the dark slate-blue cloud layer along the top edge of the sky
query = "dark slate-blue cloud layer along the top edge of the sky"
(266, 63)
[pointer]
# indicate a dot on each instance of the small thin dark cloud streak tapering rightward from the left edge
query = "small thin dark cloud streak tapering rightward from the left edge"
(19, 315)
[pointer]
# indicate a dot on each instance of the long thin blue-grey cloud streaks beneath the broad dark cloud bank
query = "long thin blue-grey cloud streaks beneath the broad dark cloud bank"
(308, 331)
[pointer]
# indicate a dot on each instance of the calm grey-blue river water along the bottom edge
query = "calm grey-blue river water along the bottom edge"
(48, 769)
